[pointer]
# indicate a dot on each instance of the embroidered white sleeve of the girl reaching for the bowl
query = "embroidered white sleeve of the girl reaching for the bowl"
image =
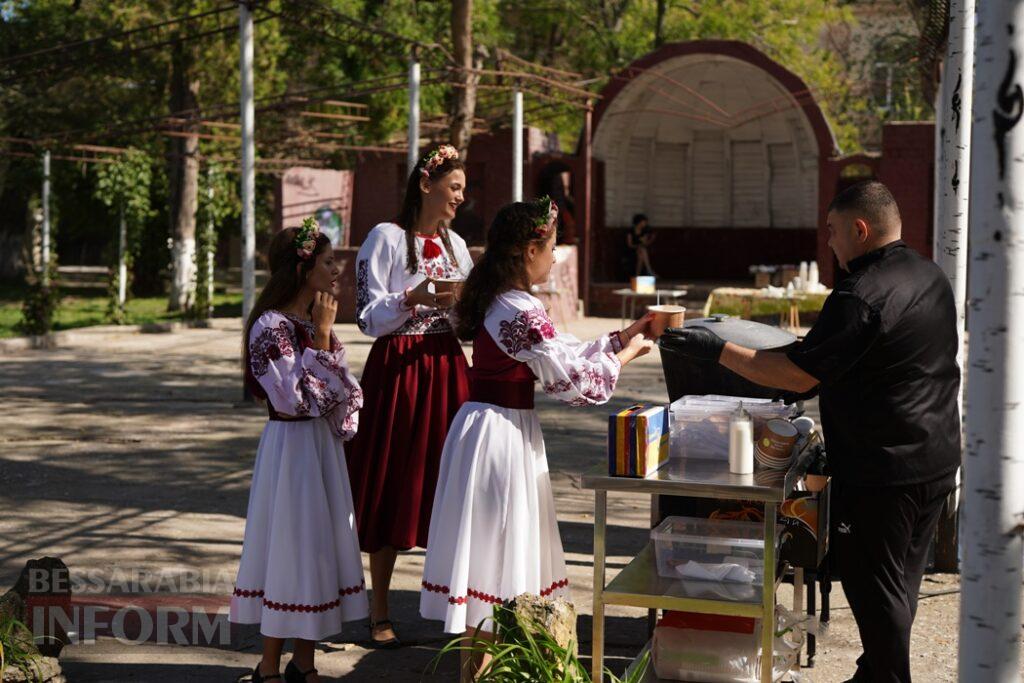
(573, 372)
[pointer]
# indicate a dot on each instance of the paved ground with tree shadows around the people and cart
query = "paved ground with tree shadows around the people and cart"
(125, 453)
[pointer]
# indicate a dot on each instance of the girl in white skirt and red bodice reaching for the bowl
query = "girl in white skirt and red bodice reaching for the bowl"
(494, 533)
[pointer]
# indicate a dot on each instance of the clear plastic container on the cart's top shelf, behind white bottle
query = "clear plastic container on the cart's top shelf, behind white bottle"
(699, 426)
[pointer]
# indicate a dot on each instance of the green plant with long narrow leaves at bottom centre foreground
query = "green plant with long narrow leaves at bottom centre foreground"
(527, 652)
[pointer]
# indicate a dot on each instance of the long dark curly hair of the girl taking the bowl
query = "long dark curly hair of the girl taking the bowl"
(502, 268)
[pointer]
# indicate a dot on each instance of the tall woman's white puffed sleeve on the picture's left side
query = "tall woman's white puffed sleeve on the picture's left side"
(378, 311)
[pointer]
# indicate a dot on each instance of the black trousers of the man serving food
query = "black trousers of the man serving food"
(881, 537)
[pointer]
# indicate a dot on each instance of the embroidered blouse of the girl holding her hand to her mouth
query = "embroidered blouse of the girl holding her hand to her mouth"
(300, 380)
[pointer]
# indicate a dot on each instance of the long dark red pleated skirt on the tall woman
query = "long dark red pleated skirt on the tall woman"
(413, 387)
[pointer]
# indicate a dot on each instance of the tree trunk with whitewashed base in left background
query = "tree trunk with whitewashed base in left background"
(184, 181)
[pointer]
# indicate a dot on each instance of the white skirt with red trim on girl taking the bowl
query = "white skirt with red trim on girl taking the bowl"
(494, 534)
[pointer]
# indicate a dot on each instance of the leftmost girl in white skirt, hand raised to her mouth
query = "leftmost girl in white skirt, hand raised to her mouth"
(301, 575)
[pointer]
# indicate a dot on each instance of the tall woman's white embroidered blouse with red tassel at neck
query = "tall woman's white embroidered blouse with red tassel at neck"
(382, 278)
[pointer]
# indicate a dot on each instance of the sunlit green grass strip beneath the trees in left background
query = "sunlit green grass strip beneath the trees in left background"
(82, 309)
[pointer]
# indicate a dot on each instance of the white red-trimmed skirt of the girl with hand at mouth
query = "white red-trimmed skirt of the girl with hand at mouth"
(302, 574)
